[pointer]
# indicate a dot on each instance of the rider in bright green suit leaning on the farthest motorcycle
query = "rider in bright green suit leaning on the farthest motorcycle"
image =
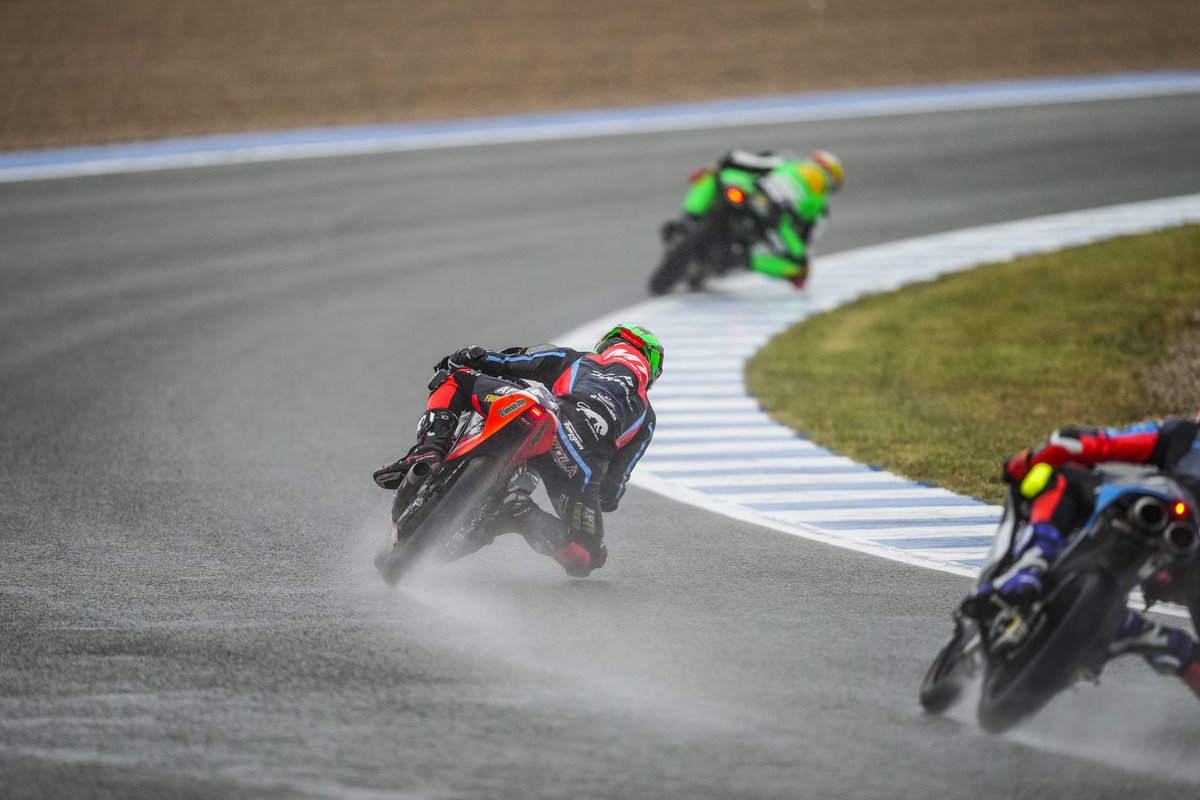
(799, 190)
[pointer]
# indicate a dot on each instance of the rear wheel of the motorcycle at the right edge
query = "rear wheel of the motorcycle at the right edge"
(1082, 615)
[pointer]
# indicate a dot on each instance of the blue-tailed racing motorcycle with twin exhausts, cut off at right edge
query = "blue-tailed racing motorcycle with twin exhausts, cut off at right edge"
(1143, 524)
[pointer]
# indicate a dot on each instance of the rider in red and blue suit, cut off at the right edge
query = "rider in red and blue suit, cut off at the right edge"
(1061, 497)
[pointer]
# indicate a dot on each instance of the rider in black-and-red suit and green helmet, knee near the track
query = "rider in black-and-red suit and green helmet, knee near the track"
(605, 424)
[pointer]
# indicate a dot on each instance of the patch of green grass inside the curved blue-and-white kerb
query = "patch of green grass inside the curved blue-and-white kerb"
(940, 381)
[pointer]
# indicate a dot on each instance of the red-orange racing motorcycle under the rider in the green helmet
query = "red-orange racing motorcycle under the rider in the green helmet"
(447, 513)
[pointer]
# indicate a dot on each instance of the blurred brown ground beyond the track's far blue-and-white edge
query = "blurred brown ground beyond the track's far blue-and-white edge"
(81, 71)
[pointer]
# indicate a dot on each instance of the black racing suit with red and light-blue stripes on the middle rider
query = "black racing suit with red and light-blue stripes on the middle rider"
(605, 424)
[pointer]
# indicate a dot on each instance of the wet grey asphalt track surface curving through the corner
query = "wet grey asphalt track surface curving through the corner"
(200, 370)
